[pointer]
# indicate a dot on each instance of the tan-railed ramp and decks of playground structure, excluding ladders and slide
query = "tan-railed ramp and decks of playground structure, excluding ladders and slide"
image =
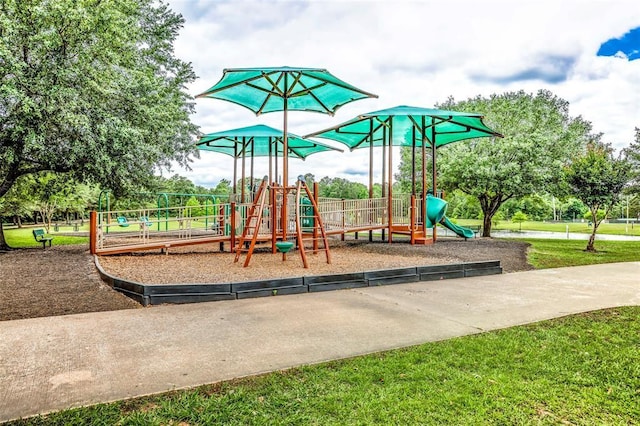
(163, 228)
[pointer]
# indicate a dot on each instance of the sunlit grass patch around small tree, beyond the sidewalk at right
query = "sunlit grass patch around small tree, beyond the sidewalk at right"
(559, 253)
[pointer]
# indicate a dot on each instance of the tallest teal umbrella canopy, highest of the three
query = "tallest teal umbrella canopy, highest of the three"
(264, 90)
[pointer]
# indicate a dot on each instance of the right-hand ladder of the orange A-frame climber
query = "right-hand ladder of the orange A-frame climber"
(309, 226)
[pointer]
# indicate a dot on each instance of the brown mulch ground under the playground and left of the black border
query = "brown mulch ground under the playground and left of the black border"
(63, 280)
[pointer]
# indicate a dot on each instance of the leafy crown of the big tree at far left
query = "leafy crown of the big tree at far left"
(92, 88)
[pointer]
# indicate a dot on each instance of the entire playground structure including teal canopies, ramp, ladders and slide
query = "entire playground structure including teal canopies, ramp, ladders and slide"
(283, 216)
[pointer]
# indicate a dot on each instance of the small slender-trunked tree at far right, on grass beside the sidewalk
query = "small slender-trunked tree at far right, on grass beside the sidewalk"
(597, 178)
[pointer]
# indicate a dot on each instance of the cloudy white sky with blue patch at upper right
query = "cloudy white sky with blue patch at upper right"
(414, 53)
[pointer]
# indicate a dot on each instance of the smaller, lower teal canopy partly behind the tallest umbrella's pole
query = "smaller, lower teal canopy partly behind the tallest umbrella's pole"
(260, 141)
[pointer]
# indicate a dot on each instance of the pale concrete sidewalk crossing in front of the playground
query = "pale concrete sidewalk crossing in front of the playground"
(48, 364)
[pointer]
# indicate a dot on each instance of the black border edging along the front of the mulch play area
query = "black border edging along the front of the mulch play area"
(155, 294)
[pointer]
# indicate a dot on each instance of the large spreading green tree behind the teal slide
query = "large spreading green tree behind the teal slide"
(539, 138)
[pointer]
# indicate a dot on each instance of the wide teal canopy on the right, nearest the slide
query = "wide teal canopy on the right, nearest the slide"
(409, 126)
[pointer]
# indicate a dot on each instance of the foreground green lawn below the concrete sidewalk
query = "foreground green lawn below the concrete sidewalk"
(582, 370)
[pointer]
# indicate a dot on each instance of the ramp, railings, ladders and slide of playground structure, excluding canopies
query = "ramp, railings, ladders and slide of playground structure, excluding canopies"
(308, 223)
